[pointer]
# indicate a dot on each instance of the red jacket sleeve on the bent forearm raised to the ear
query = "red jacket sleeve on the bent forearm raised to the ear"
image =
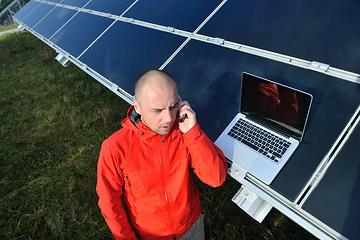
(207, 160)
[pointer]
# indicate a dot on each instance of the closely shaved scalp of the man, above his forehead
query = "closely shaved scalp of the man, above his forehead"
(157, 79)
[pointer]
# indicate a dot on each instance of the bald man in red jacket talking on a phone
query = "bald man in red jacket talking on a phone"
(146, 163)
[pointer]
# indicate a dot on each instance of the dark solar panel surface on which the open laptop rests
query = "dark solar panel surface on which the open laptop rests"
(209, 77)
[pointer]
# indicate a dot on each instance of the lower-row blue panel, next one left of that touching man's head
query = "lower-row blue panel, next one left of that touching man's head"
(80, 32)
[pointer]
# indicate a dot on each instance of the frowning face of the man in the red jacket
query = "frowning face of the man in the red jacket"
(158, 108)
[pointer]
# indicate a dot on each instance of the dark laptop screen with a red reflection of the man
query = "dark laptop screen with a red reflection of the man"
(276, 104)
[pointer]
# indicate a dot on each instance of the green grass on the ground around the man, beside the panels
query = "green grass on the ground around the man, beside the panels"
(52, 123)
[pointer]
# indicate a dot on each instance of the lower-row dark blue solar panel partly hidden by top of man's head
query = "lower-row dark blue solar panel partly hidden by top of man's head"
(126, 51)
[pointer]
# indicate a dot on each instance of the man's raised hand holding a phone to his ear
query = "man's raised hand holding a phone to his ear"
(187, 116)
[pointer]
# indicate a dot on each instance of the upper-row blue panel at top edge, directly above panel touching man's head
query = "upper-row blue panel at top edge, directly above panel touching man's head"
(182, 14)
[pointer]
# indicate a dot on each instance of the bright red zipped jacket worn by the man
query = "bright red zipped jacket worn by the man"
(151, 173)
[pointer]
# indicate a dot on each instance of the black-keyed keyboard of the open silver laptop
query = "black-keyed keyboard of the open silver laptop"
(260, 140)
